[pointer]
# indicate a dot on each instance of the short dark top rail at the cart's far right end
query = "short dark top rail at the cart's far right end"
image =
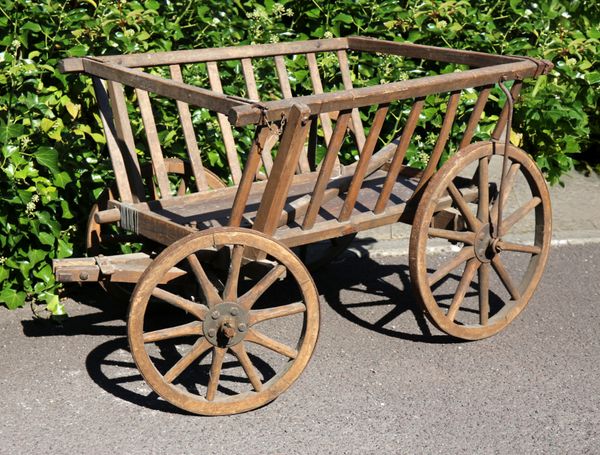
(471, 58)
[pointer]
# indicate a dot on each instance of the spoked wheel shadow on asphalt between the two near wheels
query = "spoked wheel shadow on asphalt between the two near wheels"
(375, 286)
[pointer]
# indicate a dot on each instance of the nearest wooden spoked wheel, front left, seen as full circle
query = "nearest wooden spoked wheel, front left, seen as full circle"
(210, 353)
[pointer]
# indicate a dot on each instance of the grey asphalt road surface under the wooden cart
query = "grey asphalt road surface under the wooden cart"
(382, 379)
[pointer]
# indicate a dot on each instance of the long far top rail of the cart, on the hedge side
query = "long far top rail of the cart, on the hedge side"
(213, 54)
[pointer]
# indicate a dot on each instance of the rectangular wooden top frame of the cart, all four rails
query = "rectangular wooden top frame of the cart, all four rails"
(487, 69)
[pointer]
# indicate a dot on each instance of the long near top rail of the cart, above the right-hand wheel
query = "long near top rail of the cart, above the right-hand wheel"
(244, 114)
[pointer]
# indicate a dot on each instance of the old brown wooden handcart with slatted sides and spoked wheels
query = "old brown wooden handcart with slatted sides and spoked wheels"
(225, 316)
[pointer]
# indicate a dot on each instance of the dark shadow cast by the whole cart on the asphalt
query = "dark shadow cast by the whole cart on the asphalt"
(371, 294)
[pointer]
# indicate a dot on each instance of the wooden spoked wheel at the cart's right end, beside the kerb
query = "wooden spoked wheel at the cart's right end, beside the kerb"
(492, 269)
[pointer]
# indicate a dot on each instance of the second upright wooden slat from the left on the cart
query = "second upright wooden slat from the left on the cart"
(125, 140)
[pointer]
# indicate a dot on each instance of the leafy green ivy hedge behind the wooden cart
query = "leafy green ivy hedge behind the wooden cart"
(52, 145)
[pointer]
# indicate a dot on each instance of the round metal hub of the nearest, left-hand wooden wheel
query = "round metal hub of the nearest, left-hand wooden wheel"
(226, 324)
